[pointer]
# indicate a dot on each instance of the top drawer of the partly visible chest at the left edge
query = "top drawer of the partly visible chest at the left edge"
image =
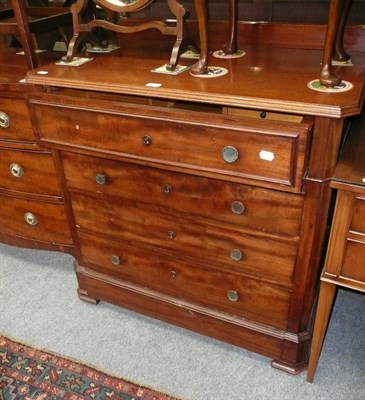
(15, 124)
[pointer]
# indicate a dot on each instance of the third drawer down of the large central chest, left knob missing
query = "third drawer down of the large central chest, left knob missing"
(266, 256)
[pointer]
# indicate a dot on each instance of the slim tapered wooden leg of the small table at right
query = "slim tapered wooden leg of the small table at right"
(325, 301)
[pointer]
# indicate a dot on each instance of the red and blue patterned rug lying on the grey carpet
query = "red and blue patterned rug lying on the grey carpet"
(32, 374)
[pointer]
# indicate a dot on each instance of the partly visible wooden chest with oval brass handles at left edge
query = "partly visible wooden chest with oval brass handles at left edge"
(31, 205)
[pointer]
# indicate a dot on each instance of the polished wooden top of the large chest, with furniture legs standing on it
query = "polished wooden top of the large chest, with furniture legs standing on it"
(264, 78)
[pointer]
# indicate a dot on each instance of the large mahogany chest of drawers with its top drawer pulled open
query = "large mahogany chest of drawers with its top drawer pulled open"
(199, 202)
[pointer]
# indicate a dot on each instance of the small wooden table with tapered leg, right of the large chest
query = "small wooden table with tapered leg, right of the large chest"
(345, 259)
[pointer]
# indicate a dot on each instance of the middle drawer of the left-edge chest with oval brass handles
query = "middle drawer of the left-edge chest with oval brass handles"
(30, 172)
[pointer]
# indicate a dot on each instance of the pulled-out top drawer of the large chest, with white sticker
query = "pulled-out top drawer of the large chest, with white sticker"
(241, 148)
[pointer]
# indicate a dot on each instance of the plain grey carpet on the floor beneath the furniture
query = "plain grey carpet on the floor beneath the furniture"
(39, 306)
